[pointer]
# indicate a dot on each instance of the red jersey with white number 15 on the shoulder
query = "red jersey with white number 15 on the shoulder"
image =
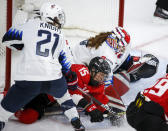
(83, 82)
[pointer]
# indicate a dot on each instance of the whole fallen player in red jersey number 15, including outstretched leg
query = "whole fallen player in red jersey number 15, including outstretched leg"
(90, 80)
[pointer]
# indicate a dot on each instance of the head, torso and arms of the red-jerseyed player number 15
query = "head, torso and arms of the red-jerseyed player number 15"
(91, 80)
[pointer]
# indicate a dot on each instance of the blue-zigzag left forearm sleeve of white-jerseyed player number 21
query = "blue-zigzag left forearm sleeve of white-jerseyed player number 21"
(13, 38)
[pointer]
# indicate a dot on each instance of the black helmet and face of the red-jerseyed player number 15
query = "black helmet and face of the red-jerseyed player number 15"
(99, 70)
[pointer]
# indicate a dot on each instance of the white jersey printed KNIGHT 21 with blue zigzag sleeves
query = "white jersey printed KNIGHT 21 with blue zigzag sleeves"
(43, 47)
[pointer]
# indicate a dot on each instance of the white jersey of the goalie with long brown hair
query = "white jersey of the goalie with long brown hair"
(83, 54)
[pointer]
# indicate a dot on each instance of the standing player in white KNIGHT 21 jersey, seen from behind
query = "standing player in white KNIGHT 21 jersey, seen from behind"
(40, 45)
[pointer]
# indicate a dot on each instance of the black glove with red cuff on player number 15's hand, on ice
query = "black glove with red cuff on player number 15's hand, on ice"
(95, 114)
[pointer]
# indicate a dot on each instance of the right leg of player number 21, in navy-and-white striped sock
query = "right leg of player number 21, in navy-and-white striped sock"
(59, 90)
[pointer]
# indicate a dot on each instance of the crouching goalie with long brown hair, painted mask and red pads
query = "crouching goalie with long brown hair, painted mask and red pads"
(115, 47)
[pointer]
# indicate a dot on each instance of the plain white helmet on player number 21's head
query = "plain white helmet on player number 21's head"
(52, 13)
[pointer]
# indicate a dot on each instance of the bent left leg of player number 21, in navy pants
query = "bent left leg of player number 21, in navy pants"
(18, 95)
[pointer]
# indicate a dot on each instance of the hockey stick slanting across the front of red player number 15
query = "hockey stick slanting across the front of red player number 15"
(100, 104)
